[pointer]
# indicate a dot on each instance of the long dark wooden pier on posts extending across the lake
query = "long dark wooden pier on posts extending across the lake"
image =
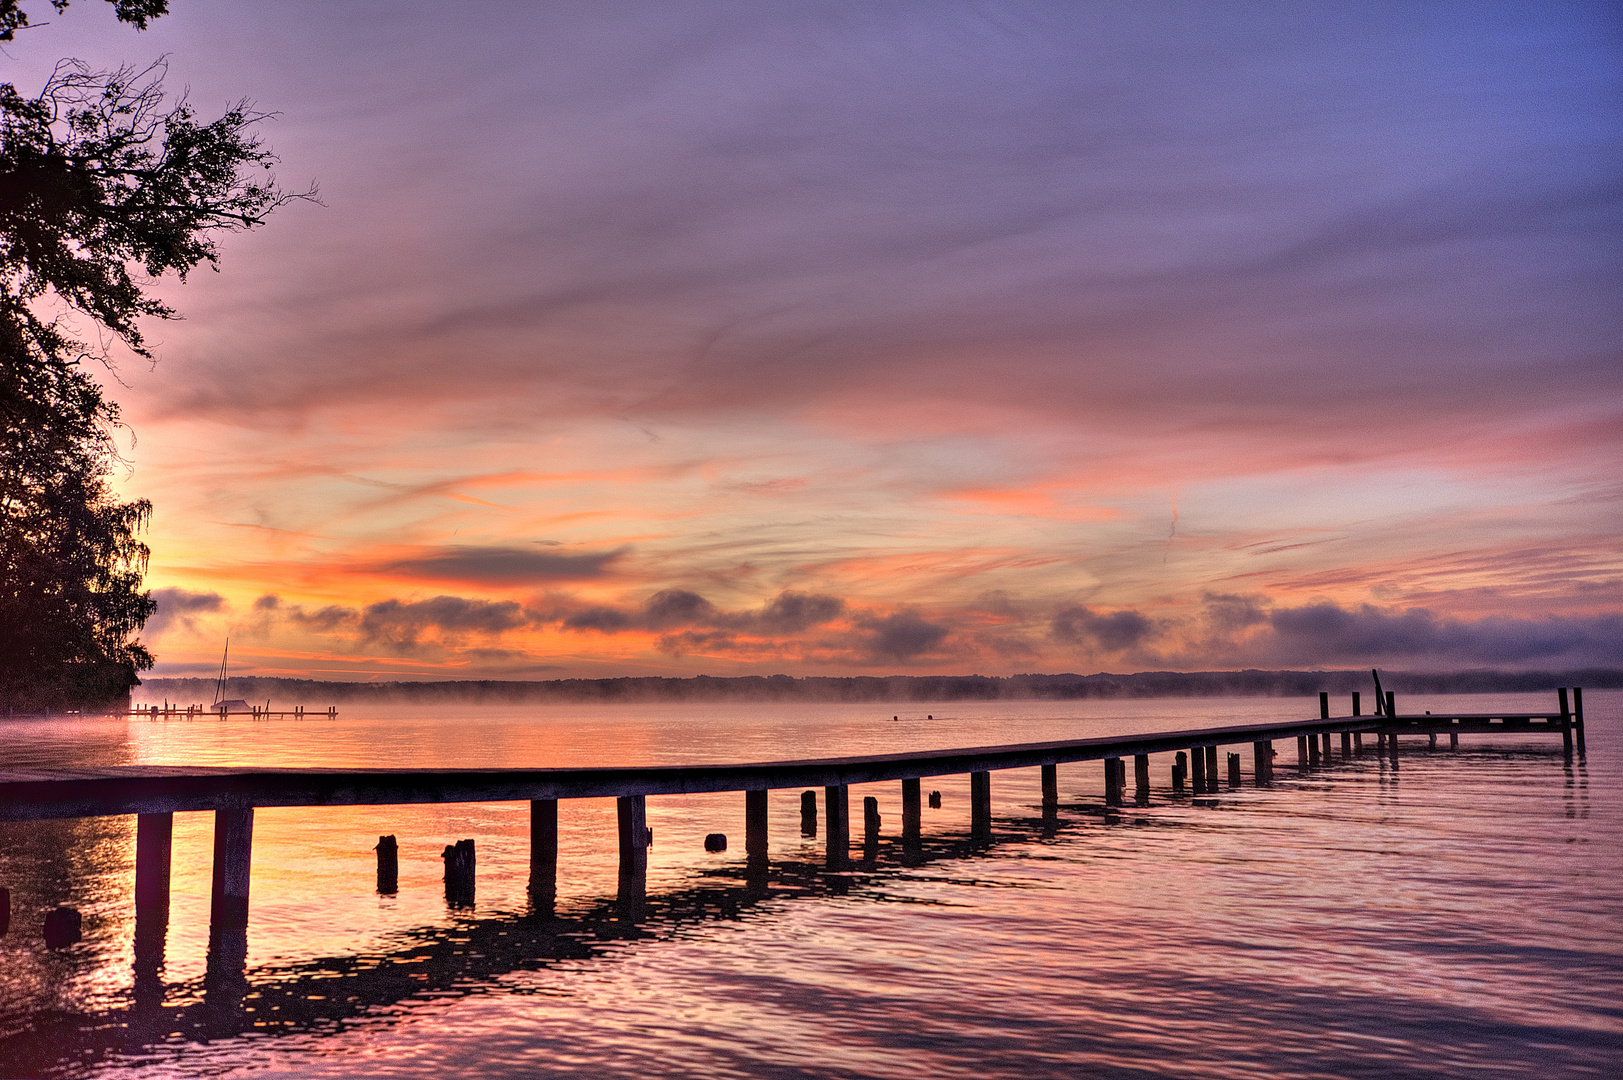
(155, 793)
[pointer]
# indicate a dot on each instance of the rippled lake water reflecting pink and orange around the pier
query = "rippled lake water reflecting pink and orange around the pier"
(1455, 917)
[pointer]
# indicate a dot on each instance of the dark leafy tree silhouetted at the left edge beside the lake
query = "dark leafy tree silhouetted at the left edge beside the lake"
(103, 191)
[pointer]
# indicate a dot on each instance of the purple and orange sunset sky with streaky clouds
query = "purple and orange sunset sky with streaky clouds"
(861, 339)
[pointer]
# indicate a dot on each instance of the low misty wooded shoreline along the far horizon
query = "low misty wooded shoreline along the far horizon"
(1251, 683)
